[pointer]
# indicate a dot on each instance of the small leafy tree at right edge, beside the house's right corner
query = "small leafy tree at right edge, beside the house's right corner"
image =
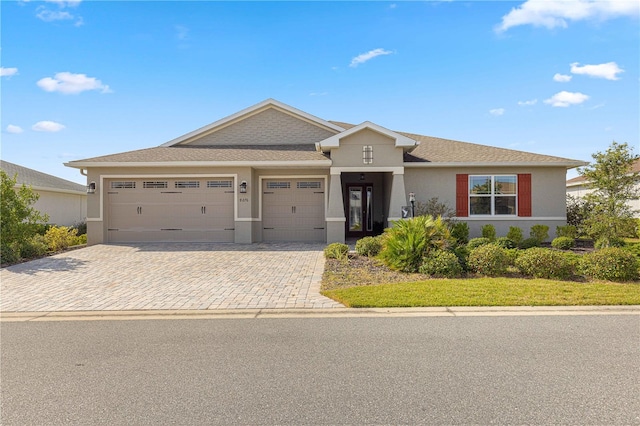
(613, 184)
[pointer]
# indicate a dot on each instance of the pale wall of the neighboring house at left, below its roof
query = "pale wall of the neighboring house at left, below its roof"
(63, 209)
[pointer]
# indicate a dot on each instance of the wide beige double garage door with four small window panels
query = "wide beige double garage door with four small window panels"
(140, 210)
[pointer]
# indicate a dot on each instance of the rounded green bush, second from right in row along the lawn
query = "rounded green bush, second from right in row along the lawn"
(546, 263)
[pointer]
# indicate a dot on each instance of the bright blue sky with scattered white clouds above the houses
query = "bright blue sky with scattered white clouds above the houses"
(87, 78)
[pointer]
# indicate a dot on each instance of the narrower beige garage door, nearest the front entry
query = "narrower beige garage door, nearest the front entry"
(293, 210)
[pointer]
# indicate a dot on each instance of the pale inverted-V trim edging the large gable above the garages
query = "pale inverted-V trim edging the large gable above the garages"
(249, 112)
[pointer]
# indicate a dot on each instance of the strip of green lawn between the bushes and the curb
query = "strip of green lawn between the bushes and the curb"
(487, 292)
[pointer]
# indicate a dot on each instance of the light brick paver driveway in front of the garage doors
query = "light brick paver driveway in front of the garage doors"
(168, 276)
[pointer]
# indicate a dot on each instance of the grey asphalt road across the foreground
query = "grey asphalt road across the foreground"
(480, 370)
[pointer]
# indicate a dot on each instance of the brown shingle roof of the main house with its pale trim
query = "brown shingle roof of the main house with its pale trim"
(427, 151)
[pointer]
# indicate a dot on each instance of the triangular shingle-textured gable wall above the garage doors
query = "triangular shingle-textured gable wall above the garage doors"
(269, 127)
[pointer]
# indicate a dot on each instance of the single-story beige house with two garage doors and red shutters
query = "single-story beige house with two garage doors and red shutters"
(274, 173)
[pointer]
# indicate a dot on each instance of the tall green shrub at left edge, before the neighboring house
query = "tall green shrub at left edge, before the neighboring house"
(18, 220)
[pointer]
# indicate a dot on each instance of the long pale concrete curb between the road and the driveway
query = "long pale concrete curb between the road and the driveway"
(319, 313)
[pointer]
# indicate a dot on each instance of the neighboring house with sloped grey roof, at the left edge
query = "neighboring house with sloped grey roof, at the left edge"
(64, 201)
